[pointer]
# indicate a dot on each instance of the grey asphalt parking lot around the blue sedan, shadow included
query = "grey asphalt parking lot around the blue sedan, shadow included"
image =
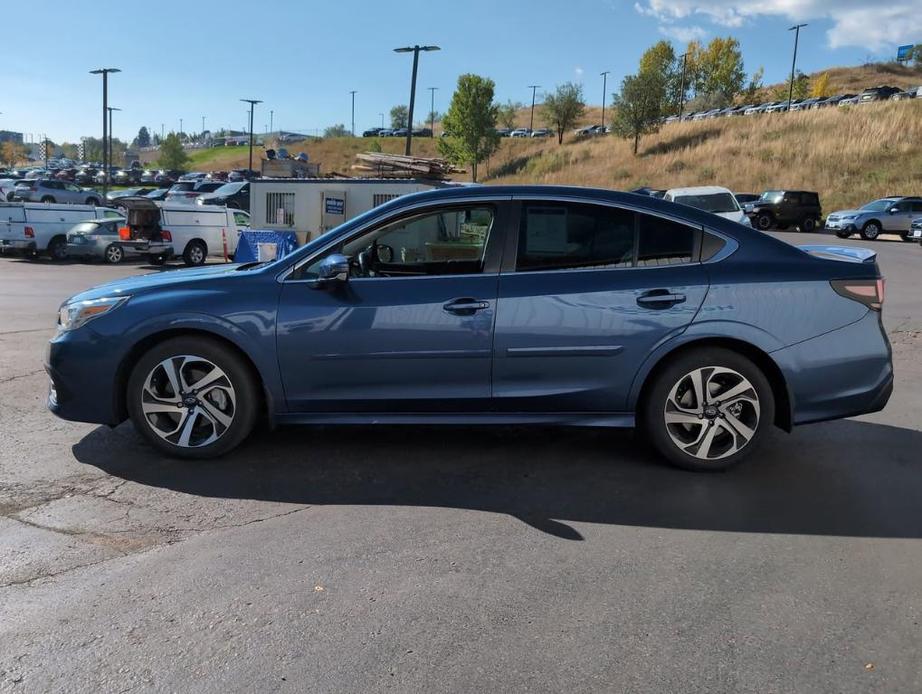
(471, 559)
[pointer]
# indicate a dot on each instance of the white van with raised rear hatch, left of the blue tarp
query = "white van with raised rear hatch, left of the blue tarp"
(193, 232)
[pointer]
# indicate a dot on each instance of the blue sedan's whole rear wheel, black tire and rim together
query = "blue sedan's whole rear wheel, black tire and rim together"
(740, 424)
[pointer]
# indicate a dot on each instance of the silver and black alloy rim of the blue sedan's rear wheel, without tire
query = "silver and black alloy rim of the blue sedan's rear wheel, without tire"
(712, 412)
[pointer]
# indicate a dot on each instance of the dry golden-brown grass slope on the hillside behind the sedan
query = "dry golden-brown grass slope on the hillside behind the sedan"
(849, 155)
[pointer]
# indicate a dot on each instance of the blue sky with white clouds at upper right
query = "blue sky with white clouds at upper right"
(188, 60)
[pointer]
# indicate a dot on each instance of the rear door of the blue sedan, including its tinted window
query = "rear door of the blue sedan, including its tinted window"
(586, 292)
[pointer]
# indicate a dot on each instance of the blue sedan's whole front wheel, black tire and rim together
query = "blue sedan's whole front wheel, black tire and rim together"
(187, 422)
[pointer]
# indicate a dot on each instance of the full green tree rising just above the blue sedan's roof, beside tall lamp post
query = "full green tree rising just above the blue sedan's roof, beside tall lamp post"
(470, 123)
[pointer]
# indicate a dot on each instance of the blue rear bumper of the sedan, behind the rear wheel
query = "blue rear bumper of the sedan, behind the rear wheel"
(844, 373)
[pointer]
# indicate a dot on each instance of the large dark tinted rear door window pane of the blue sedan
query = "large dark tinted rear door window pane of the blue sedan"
(557, 236)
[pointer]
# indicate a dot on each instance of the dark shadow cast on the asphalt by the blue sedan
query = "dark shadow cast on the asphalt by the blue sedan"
(846, 478)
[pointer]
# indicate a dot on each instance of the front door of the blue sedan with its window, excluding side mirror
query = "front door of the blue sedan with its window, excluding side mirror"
(411, 329)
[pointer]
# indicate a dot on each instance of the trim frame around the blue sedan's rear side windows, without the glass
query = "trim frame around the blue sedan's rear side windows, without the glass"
(512, 242)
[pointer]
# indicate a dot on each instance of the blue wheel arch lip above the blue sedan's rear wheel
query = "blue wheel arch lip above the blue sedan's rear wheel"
(762, 359)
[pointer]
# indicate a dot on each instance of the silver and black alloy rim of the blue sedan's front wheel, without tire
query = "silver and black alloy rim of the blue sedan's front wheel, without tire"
(188, 401)
